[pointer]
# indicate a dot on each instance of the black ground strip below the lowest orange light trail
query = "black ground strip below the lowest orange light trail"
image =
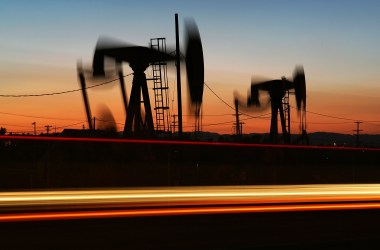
(303, 230)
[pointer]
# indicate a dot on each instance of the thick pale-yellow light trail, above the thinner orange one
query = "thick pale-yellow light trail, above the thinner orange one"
(253, 193)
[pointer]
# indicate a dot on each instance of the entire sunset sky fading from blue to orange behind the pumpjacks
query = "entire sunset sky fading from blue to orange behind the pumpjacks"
(336, 41)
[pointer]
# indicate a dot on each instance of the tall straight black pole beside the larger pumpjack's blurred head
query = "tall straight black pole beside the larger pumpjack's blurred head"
(179, 92)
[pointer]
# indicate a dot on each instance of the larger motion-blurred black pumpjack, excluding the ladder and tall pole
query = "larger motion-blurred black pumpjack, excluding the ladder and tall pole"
(139, 123)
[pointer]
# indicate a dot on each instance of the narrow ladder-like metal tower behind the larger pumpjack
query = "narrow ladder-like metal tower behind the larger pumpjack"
(160, 87)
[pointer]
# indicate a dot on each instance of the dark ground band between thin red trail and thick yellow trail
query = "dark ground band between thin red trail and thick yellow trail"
(29, 164)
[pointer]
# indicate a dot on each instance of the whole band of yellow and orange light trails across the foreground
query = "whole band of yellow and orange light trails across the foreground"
(87, 204)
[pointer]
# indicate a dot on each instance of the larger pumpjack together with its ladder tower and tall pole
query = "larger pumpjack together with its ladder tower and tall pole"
(139, 122)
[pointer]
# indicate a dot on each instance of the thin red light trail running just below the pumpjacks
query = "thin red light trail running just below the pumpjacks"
(167, 142)
